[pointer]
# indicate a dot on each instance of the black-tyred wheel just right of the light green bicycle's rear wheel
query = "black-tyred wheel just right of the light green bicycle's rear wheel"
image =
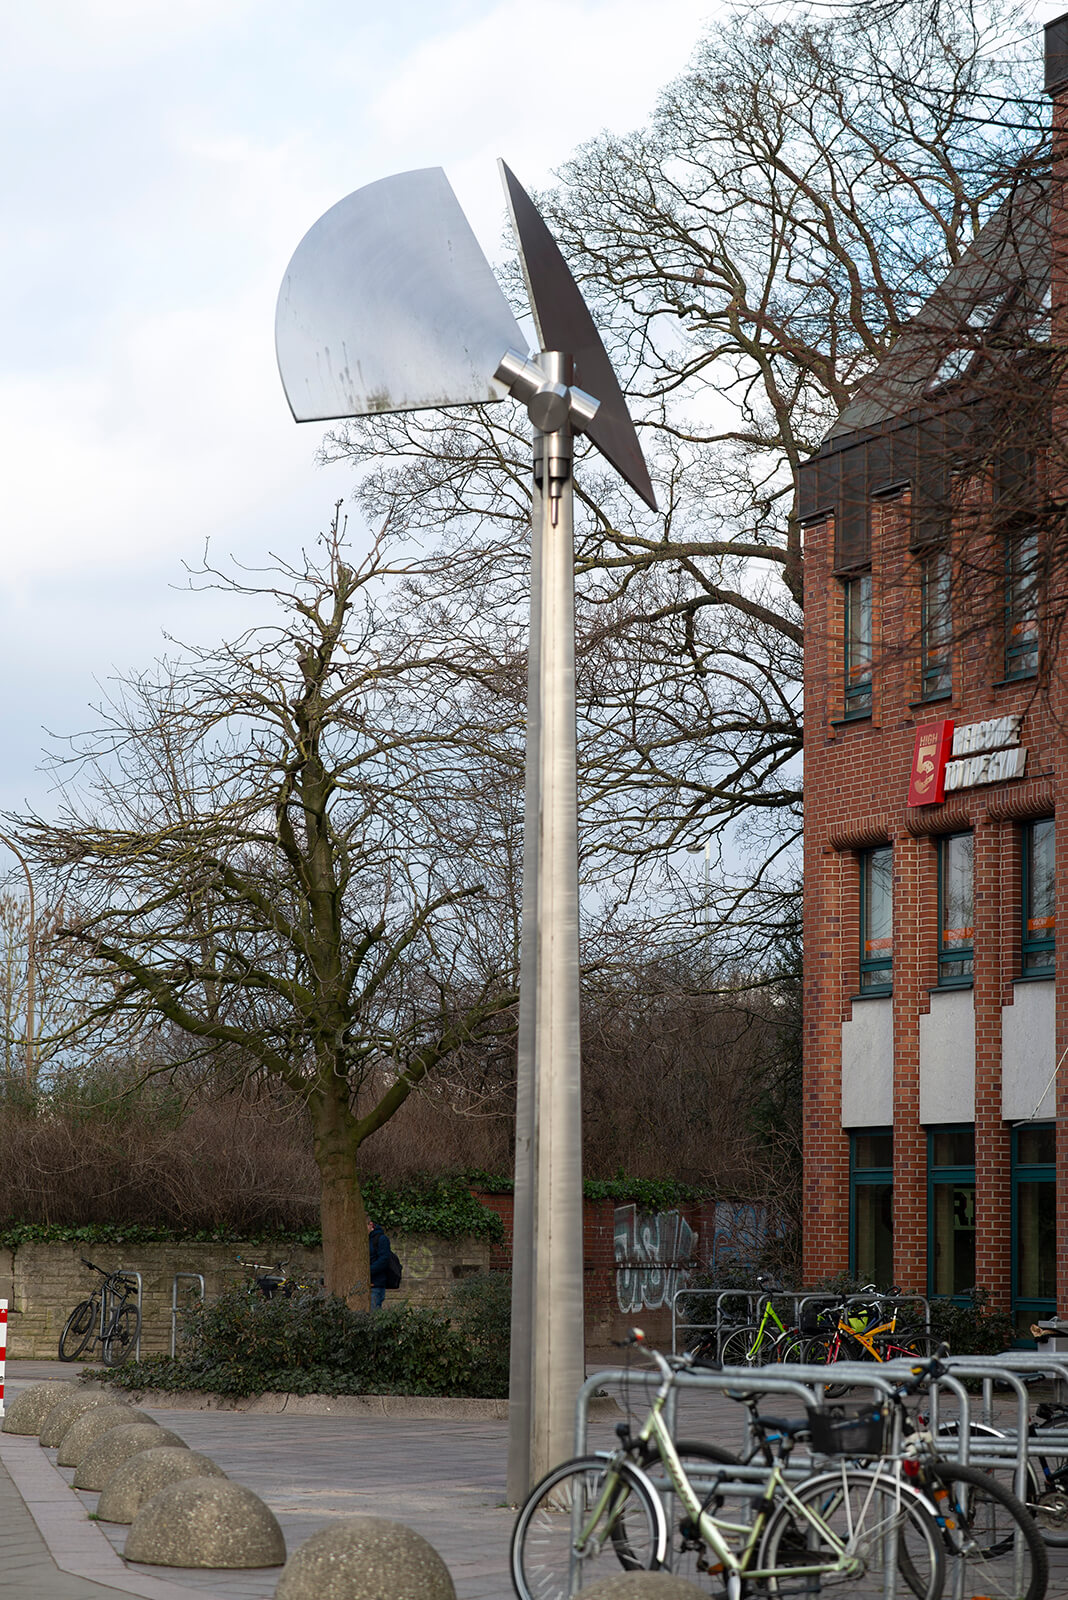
(989, 1535)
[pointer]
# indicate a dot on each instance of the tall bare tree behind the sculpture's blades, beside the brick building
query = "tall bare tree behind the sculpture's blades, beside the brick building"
(752, 255)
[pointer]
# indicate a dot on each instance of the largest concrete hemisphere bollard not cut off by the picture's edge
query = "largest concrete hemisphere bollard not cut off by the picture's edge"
(205, 1522)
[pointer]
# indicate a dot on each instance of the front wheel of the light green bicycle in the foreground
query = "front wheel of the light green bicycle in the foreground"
(556, 1551)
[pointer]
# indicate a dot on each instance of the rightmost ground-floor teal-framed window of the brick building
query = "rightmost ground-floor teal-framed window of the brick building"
(1034, 1223)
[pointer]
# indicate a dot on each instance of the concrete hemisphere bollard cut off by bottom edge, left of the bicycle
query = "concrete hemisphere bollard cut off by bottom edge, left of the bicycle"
(365, 1559)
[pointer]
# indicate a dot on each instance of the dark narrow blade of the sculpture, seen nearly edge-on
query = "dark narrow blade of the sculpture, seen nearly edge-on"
(565, 324)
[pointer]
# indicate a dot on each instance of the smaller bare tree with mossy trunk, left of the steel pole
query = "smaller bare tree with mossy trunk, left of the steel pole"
(276, 873)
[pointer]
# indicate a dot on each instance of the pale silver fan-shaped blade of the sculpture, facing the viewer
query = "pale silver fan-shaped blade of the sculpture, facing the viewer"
(389, 305)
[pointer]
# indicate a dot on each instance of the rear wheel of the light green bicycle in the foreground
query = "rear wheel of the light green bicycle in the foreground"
(858, 1522)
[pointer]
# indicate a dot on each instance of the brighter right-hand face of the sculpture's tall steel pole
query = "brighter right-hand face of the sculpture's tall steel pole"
(559, 1356)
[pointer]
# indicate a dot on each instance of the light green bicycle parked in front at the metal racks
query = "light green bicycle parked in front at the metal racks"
(604, 1511)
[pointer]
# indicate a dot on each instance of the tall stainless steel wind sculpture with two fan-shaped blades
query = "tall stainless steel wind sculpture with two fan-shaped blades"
(389, 305)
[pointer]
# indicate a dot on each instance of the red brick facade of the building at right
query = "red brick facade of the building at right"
(856, 780)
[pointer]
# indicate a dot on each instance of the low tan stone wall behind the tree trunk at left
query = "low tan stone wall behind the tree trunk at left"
(44, 1282)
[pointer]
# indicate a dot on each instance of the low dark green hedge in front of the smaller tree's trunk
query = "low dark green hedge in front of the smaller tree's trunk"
(242, 1345)
